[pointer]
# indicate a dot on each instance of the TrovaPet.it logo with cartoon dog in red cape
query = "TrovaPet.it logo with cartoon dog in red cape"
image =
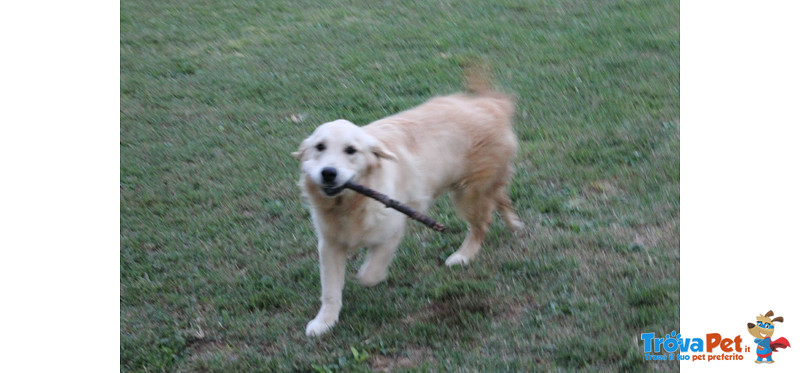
(715, 346)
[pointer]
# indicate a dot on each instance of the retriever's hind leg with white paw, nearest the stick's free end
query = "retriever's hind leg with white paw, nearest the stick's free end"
(476, 209)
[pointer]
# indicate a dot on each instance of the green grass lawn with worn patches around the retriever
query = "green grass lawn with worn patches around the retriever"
(218, 260)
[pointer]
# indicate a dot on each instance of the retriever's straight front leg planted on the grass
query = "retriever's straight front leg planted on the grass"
(331, 270)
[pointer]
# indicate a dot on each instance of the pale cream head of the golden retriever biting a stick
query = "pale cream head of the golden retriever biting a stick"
(338, 152)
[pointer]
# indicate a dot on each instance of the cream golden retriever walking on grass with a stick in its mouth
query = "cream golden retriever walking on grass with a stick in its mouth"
(462, 143)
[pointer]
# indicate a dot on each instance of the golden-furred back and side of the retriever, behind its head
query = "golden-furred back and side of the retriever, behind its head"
(452, 141)
